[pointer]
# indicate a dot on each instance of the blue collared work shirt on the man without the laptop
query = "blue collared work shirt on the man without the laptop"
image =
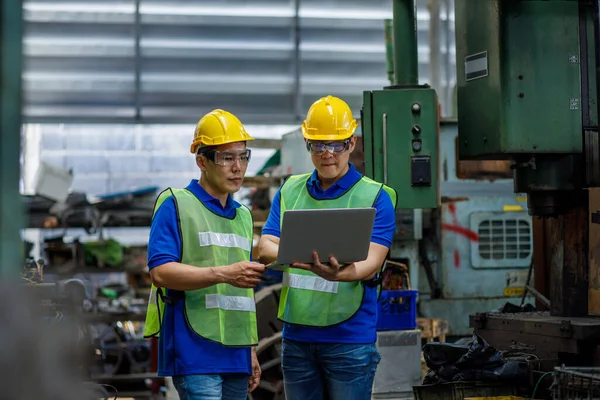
(181, 350)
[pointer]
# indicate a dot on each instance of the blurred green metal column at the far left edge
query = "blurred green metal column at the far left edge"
(11, 209)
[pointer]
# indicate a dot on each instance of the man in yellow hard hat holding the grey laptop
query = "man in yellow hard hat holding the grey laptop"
(329, 330)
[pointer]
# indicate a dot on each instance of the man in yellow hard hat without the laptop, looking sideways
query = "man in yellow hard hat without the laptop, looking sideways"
(199, 254)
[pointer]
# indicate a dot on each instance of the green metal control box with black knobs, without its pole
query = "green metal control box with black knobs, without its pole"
(401, 141)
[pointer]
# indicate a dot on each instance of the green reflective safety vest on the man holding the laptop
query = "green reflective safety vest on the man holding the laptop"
(306, 298)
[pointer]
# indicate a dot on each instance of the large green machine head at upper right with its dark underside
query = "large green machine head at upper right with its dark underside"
(526, 73)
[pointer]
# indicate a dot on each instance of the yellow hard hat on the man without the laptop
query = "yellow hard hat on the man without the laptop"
(218, 127)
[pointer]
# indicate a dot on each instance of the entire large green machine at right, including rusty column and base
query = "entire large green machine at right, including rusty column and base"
(527, 73)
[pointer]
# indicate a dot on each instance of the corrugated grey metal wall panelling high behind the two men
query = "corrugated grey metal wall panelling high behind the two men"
(102, 61)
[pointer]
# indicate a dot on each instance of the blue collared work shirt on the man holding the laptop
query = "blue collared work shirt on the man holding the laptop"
(360, 329)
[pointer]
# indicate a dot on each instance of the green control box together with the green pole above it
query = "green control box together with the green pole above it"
(400, 123)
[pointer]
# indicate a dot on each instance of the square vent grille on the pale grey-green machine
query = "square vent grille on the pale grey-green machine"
(504, 239)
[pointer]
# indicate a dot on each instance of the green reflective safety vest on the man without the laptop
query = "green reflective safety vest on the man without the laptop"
(222, 313)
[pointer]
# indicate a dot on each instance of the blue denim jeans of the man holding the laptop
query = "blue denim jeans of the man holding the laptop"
(331, 371)
